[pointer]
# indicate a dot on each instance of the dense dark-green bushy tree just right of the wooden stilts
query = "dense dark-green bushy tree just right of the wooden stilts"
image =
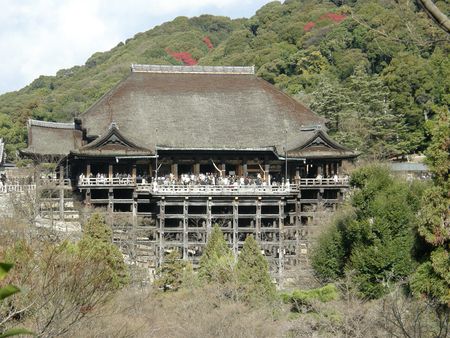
(376, 239)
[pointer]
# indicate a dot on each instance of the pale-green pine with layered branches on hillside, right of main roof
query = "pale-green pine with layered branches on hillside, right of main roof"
(359, 115)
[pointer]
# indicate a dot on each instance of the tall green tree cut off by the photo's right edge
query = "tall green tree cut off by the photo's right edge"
(432, 278)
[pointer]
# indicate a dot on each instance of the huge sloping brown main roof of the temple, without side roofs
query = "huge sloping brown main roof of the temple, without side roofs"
(202, 108)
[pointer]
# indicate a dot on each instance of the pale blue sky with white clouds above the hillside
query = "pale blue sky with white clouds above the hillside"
(39, 37)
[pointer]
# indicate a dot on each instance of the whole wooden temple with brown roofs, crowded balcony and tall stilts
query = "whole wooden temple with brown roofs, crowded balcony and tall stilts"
(173, 150)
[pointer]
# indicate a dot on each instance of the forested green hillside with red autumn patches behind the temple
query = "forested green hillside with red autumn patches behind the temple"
(376, 69)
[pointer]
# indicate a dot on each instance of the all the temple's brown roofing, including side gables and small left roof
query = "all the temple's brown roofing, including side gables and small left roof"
(189, 108)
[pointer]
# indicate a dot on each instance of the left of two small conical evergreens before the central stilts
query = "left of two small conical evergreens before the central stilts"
(217, 261)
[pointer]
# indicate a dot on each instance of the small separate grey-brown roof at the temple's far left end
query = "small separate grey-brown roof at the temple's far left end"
(52, 138)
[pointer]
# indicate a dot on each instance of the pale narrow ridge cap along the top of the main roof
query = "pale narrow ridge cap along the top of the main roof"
(141, 68)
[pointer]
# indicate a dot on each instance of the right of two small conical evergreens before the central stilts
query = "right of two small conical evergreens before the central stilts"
(252, 272)
